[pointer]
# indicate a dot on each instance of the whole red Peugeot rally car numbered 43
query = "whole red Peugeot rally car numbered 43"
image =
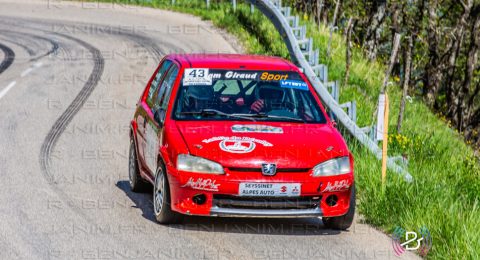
(237, 135)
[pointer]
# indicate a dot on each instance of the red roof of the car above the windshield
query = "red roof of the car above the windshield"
(233, 61)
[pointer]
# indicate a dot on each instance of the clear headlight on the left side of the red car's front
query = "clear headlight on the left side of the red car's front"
(191, 163)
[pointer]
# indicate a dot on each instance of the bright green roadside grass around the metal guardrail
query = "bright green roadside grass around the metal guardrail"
(444, 195)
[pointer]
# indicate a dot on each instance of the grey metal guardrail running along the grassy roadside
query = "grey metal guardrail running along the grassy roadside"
(302, 53)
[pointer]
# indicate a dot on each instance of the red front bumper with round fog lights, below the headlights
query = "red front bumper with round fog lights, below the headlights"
(222, 199)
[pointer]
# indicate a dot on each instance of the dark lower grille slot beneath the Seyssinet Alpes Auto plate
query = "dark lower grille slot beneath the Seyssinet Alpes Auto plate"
(227, 201)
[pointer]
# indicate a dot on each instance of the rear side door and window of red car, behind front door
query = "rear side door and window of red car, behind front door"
(144, 108)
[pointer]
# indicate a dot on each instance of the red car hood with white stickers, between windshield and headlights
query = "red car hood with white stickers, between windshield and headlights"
(249, 144)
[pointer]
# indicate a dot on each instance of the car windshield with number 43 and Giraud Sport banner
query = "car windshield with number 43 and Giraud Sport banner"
(207, 94)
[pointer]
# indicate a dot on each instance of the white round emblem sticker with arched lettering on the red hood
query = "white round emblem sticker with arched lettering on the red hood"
(236, 144)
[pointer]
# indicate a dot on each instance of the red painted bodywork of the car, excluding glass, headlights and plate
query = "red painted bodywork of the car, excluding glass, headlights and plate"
(296, 151)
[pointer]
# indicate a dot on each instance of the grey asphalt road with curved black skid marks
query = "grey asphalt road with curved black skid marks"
(70, 75)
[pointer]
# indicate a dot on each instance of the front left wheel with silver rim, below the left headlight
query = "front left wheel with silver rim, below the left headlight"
(161, 199)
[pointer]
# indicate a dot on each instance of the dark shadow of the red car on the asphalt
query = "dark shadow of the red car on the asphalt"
(261, 226)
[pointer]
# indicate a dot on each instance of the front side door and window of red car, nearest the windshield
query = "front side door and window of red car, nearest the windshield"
(154, 126)
